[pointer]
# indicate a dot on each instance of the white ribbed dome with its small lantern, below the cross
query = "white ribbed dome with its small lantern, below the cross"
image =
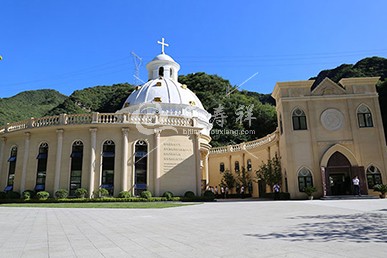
(164, 95)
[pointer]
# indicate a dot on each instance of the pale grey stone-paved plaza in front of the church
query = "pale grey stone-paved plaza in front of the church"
(345, 228)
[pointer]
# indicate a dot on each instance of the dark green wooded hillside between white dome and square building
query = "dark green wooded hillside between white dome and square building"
(212, 90)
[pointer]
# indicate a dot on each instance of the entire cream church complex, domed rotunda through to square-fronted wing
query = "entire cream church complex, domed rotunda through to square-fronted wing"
(159, 141)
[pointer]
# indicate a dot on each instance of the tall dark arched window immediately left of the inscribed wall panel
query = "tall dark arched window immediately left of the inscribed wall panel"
(140, 167)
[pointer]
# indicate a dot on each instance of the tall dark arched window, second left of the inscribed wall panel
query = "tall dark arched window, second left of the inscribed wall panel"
(108, 155)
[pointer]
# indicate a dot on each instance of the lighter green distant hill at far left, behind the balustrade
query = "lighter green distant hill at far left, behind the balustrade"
(27, 104)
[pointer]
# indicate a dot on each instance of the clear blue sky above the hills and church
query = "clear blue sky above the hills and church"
(71, 45)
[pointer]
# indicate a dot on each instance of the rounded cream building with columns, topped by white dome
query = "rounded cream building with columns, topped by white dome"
(158, 141)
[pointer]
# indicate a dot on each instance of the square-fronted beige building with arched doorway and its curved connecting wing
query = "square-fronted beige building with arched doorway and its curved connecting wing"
(328, 133)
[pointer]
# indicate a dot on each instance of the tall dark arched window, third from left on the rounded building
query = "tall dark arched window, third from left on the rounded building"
(76, 167)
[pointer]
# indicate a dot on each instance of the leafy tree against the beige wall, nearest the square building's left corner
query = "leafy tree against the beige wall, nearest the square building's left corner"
(270, 172)
